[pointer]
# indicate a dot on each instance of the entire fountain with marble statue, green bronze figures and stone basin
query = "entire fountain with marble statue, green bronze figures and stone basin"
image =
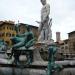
(32, 63)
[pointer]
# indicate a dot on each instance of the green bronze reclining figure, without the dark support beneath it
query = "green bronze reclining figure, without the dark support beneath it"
(26, 39)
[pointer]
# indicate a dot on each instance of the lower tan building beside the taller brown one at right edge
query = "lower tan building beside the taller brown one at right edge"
(63, 49)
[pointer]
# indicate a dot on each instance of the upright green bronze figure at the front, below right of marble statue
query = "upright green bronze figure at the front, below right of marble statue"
(52, 66)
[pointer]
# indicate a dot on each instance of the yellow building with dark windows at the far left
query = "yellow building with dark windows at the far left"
(7, 30)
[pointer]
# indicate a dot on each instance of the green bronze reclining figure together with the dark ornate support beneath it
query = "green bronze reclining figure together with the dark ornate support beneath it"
(25, 40)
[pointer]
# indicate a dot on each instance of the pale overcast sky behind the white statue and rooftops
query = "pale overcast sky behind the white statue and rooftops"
(62, 13)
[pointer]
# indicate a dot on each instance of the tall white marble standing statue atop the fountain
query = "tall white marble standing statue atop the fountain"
(45, 32)
